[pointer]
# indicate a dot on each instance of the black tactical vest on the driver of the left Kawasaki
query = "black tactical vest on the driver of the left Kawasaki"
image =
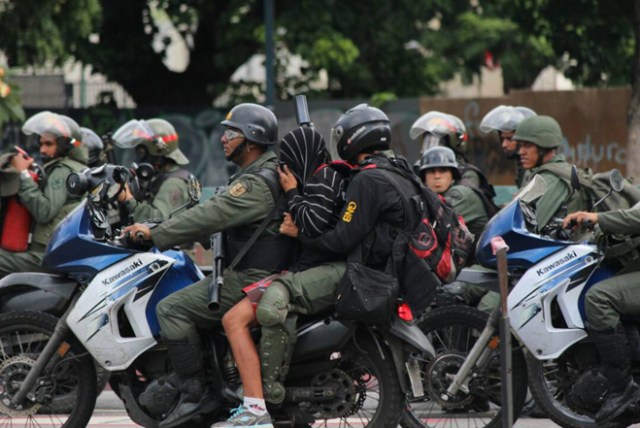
(272, 251)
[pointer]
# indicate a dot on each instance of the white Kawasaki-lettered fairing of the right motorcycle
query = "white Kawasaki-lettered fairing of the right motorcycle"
(558, 278)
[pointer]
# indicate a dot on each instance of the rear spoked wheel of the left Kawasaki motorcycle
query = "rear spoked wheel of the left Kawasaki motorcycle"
(368, 388)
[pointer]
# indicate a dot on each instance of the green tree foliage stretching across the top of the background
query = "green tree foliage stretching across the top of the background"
(402, 47)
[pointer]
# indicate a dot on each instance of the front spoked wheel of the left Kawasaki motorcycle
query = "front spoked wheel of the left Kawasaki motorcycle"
(23, 336)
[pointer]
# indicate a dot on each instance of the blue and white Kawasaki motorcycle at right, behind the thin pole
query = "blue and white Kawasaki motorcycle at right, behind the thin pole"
(549, 275)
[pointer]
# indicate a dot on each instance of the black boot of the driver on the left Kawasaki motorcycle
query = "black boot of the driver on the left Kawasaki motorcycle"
(195, 398)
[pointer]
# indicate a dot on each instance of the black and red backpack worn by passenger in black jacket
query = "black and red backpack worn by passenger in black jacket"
(435, 249)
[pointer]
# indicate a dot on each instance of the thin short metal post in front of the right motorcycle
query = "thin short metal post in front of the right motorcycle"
(500, 249)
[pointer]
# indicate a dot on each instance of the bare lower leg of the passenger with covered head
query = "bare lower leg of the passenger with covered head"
(237, 322)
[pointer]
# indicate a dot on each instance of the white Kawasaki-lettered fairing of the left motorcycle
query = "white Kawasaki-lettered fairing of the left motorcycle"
(126, 286)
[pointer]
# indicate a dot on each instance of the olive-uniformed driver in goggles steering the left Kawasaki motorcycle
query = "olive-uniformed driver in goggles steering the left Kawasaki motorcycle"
(250, 197)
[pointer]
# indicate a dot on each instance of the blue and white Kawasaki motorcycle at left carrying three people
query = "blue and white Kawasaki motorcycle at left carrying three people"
(339, 370)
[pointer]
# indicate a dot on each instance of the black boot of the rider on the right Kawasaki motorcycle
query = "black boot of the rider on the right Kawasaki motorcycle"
(623, 391)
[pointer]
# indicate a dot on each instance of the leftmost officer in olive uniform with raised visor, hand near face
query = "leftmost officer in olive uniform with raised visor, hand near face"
(47, 201)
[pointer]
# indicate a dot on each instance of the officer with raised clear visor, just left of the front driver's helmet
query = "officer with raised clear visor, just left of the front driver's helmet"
(161, 169)
